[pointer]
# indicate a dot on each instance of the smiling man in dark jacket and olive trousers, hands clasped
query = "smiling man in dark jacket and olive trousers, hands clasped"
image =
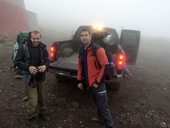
(33, 59)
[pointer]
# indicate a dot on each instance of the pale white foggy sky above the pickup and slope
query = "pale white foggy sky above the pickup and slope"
(152, 17)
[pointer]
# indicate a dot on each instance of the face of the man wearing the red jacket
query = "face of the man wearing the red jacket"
(85, 37)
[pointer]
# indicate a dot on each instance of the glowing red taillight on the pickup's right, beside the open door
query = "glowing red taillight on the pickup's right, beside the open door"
(120, 61)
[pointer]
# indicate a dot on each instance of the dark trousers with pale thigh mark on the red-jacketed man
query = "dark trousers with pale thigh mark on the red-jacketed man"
(99, 96)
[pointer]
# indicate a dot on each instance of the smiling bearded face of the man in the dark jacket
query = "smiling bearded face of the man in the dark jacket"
(35, 39)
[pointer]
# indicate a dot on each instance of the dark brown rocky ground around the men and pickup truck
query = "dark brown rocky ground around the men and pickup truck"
(143, 100)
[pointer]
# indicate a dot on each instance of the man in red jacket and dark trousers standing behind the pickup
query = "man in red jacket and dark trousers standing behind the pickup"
(91, 70)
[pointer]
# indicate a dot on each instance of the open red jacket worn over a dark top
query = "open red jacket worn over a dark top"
(95, 73)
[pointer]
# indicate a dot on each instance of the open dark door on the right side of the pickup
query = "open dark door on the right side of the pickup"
(130, 40)
